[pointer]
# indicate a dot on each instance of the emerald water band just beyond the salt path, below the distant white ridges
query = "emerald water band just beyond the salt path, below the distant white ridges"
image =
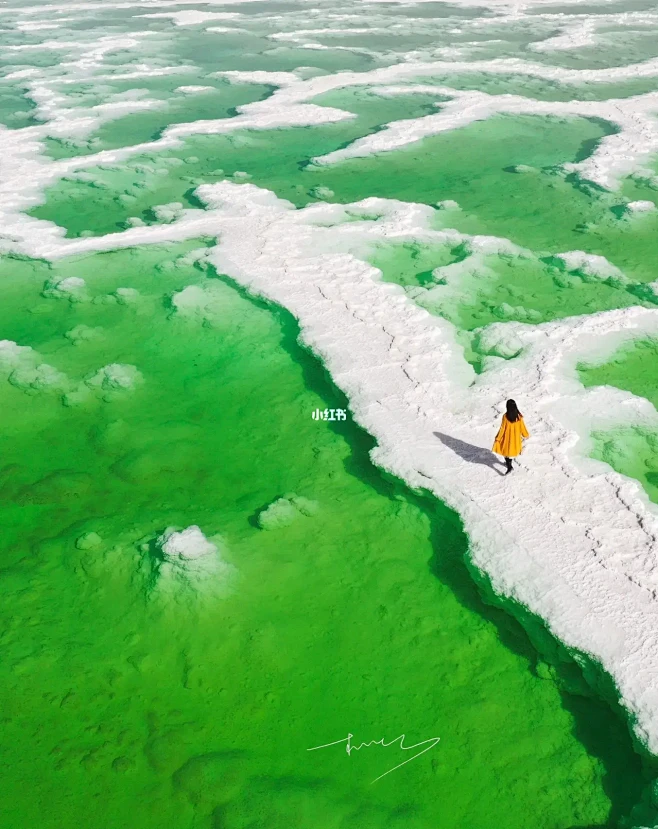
(495, 201)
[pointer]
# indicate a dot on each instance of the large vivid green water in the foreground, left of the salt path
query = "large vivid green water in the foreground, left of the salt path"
(120, 711)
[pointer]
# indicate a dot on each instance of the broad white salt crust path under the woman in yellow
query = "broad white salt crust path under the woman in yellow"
(565, 535)
